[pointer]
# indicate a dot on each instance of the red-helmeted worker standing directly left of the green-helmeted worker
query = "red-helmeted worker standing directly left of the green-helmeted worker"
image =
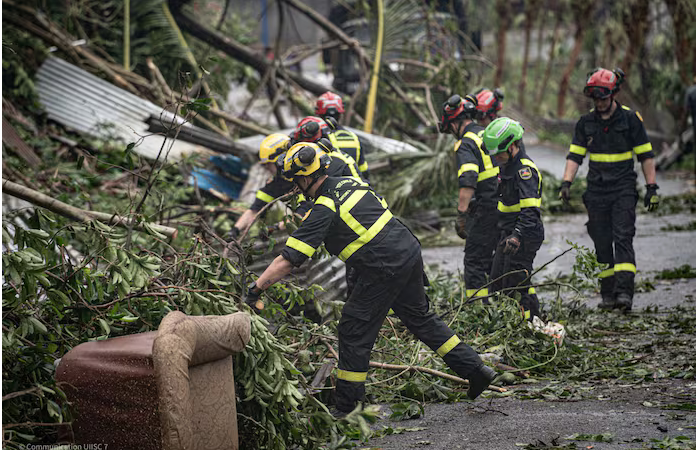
(477, 217)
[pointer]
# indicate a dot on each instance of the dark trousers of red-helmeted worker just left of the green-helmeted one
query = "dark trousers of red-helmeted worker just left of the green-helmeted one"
(482, 239)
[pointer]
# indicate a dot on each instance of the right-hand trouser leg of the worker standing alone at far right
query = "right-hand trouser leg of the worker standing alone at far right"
(623, 231)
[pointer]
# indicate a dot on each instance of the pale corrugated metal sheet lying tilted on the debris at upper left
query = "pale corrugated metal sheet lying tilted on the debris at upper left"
(87, 104)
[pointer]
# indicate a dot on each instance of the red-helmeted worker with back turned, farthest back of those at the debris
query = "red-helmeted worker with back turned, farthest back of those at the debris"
(329, 106)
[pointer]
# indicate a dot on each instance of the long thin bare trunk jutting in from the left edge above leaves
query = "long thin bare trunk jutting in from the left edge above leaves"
(80, 215)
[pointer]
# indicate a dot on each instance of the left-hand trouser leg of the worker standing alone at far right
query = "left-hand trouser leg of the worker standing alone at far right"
(599, 227)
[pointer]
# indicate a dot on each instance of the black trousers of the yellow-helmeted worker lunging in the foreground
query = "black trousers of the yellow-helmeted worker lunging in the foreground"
(363, 314)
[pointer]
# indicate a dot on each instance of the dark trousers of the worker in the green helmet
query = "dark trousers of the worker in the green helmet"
(530, 242)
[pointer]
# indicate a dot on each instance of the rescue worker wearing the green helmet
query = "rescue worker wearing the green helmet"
(519, 220)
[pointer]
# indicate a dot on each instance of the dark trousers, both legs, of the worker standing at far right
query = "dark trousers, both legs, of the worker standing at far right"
(611, 217)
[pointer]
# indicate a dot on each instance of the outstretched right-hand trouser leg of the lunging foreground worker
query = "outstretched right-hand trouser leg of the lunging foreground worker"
(413, 309)
